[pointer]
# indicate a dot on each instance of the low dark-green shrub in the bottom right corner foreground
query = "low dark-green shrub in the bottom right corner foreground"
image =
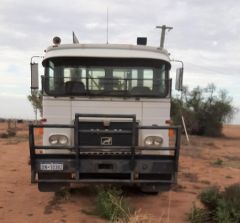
(220, 207)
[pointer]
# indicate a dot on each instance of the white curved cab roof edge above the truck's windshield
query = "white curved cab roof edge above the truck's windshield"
(106, 51)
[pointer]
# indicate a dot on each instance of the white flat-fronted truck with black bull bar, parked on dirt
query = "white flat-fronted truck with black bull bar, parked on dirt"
(106, 109)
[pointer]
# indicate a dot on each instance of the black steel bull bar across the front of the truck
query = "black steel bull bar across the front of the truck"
(80, 155)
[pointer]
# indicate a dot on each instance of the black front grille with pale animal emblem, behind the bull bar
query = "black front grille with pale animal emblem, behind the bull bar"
(97, 133)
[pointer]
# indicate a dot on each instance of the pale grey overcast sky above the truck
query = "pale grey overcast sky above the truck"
(205, 36)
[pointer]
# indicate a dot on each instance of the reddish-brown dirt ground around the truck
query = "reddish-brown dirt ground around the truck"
(20, 201)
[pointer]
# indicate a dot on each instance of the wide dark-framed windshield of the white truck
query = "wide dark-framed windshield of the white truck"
(106, 78)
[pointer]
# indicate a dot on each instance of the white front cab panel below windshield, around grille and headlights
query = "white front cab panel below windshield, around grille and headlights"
(148, 112)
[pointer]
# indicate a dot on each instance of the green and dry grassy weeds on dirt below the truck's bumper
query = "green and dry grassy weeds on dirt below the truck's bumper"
(109, 203)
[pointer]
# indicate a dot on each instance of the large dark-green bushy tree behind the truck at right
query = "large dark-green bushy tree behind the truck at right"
(204, 109)
